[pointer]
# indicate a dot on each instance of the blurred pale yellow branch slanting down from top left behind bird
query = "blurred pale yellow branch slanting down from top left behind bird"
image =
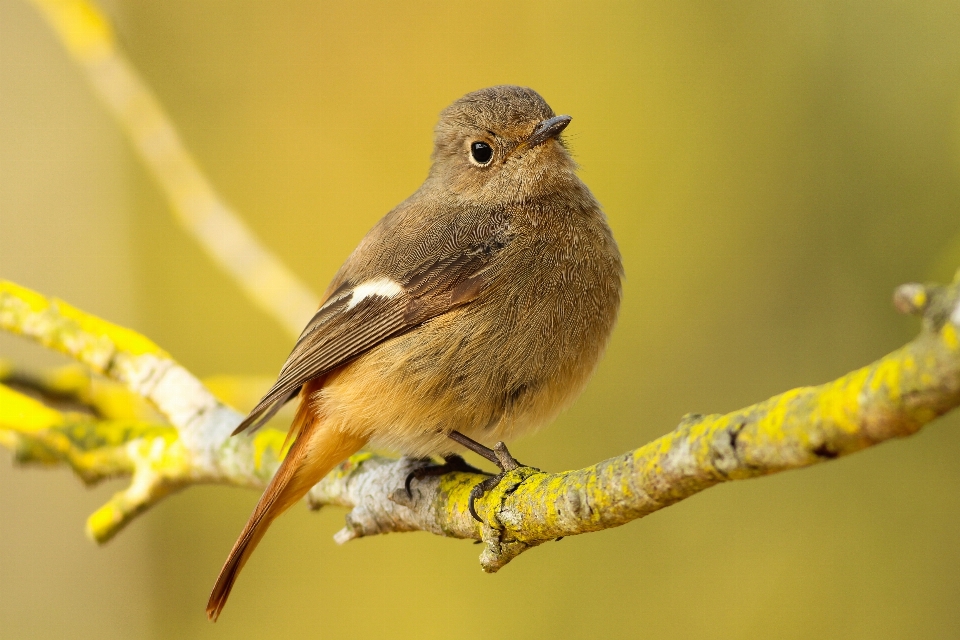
(88, 37)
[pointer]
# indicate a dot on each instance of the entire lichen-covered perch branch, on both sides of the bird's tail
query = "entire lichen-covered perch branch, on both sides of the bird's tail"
(893, 397)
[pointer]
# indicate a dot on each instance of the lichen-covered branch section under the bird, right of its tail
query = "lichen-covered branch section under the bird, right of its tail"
(893, 397)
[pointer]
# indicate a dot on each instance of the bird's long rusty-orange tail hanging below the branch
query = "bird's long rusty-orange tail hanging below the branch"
(318, 448)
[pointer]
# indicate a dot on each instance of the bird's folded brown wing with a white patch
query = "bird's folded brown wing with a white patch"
(357, 316)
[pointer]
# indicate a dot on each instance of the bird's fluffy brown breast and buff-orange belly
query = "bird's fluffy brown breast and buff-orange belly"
(501, 365)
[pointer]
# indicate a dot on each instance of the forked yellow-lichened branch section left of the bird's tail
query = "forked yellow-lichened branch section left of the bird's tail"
(194, 447)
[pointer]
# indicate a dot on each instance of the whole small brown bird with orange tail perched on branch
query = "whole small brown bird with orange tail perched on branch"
(471, 313)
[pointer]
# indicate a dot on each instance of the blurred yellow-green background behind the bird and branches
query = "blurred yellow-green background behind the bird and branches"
(771, 170)
